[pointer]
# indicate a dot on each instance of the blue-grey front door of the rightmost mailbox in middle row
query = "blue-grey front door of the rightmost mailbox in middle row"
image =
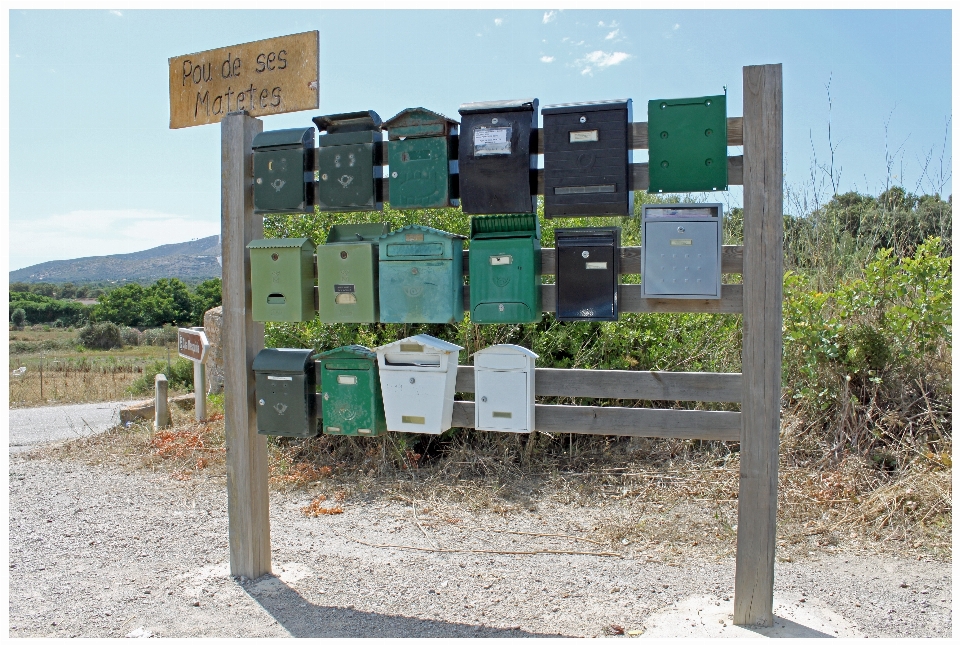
(682, 259)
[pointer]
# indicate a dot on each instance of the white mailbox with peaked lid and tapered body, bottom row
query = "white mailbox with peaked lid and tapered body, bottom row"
(418, 377)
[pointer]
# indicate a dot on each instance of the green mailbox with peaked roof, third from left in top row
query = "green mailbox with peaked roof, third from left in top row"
(419, 158)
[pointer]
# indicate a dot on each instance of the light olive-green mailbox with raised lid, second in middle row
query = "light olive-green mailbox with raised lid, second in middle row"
(347, 273)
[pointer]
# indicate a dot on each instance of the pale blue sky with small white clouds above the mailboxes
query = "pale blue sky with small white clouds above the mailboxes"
(94, 169)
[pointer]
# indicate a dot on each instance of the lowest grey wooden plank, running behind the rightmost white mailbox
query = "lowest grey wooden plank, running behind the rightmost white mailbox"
(706, 425)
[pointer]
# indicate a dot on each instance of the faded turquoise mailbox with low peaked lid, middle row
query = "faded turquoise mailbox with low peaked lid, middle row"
(421, 276)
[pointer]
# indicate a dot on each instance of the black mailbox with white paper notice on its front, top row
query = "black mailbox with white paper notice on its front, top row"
(494, 156)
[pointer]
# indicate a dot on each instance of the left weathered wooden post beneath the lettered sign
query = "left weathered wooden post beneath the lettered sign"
(241, 339)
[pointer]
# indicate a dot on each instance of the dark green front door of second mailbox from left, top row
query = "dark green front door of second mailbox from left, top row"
(346, 178)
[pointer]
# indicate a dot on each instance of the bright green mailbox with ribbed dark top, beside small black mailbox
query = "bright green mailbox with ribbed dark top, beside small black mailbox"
(505, 269)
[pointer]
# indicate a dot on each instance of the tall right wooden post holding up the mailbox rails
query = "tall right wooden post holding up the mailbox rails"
(762, 342)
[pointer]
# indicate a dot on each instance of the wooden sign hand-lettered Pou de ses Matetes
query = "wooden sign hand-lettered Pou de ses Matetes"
(265, 77)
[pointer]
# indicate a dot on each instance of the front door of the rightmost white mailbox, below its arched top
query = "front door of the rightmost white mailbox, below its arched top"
(501, 400)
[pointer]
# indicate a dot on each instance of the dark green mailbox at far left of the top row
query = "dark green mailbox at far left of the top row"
(283, 171)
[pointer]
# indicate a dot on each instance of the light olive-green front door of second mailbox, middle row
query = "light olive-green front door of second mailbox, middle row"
(347, 281)
